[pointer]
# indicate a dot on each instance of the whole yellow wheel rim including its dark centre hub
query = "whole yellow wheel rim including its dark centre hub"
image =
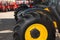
(36, 32)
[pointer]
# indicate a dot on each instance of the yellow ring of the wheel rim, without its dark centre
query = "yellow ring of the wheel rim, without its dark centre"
(43, 32)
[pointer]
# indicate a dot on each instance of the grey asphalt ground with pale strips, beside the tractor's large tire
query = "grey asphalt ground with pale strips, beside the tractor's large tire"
(7, 23)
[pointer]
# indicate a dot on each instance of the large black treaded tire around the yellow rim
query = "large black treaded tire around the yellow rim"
(32, 18)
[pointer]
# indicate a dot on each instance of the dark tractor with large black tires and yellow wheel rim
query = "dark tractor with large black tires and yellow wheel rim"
(38, 21)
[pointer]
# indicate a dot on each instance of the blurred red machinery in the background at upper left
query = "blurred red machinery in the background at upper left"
(8, 6)
